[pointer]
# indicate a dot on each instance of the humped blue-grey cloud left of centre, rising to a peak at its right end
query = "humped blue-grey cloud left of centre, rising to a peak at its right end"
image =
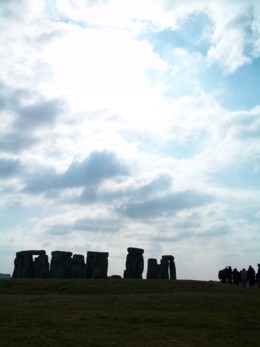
(94, 169)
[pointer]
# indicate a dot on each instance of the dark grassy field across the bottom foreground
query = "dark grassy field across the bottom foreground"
(96, 313)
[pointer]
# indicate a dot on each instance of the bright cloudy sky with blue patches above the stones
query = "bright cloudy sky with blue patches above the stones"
(131, 123)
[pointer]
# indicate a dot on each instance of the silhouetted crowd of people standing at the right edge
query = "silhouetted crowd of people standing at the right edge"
(244, 277)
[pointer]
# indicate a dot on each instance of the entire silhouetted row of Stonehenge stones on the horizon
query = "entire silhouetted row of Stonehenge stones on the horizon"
(35, 264)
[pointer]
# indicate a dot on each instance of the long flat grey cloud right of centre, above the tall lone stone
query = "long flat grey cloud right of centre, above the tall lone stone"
(165, 205)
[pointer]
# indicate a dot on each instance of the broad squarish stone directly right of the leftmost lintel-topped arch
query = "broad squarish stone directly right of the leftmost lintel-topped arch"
(60, 264)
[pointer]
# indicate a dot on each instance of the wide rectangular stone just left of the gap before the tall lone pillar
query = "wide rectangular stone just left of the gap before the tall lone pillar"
(97, 264)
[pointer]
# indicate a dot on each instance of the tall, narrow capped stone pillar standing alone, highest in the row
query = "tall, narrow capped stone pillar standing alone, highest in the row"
(134, 263)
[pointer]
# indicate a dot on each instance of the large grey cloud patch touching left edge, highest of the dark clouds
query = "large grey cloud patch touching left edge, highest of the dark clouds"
(29, 112)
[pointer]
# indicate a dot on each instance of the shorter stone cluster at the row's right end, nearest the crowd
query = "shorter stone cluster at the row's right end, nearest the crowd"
(165, 270)
